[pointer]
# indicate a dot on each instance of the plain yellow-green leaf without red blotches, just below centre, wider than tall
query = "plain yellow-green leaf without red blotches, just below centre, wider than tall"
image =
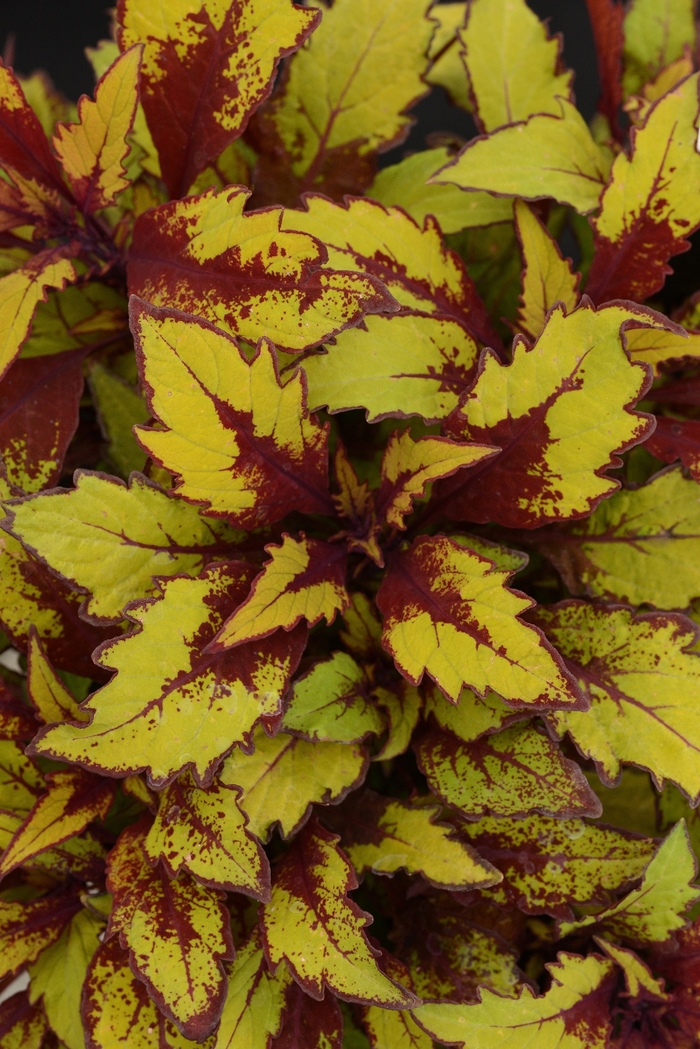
(286, 776)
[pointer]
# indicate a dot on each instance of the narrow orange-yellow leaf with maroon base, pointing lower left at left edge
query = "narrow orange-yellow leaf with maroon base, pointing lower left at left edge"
(75, 799)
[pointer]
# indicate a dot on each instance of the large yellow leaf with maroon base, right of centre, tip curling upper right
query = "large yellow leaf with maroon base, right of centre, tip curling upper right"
(562, 412)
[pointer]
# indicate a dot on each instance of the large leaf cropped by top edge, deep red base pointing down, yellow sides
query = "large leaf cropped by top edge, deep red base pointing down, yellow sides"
(206, 71)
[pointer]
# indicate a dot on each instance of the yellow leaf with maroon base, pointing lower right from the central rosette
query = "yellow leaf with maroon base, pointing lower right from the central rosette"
(448, 611)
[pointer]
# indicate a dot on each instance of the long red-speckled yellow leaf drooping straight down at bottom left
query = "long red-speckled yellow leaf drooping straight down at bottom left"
(177, 931)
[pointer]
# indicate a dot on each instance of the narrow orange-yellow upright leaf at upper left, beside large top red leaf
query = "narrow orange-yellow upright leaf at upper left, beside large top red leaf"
(93, 152)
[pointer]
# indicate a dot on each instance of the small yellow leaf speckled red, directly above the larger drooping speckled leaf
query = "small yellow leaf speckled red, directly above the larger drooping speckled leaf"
(204, 832)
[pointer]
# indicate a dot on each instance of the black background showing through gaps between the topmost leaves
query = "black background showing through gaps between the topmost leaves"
(52, 35)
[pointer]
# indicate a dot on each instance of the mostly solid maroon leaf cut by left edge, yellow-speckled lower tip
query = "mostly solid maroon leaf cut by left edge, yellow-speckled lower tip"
(39, 401)
